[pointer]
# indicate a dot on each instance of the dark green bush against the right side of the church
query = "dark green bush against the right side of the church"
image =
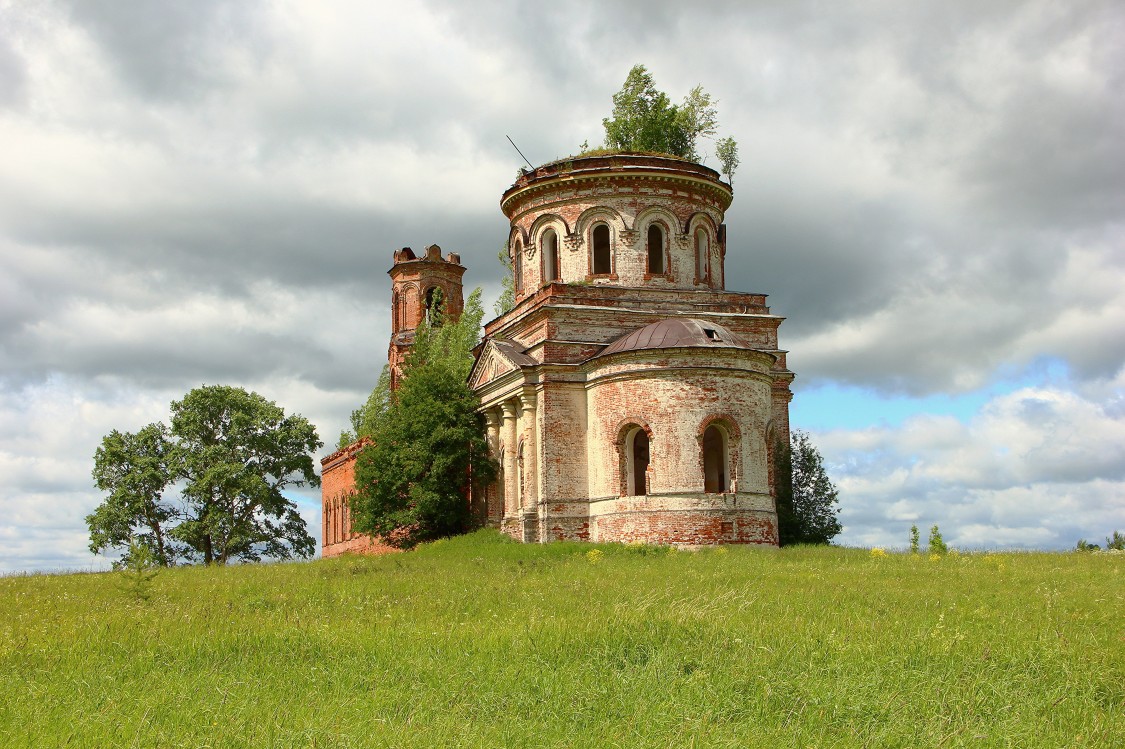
(807, 499)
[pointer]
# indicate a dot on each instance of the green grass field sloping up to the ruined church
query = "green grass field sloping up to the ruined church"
(482, 643)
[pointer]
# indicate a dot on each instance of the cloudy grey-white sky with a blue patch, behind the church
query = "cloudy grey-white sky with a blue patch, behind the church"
(933, 194)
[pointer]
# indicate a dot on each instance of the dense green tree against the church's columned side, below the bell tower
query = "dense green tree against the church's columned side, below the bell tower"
(428, 440)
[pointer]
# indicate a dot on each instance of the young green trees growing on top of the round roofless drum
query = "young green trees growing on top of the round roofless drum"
(645, 120)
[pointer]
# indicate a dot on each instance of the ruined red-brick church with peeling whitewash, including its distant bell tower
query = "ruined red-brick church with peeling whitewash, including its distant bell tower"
(628, 395)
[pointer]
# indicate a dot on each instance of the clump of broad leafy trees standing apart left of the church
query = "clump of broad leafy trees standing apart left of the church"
(230, 454)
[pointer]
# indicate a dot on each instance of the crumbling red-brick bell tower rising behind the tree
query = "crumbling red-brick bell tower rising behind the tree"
(427, 288)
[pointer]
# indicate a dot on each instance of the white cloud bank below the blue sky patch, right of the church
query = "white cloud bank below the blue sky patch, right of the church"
(1034, 468)
